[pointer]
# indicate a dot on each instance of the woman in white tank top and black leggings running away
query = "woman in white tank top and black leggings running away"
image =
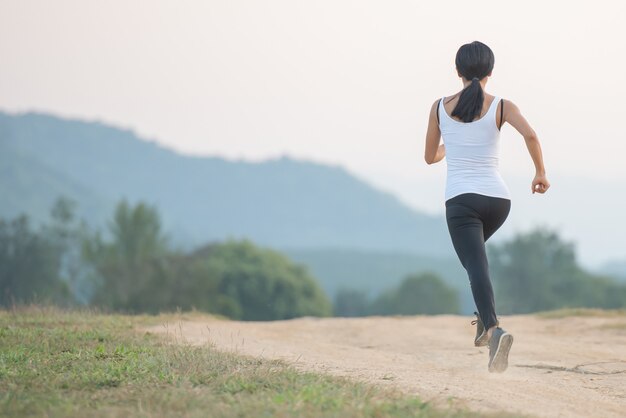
(477, 199)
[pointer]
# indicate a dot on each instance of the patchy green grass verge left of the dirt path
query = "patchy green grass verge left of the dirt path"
(57, 363)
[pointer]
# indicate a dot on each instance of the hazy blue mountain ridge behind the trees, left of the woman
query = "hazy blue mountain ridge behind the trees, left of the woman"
(283, 203)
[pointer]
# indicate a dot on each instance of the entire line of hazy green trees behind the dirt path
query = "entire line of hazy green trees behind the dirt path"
(133, 267)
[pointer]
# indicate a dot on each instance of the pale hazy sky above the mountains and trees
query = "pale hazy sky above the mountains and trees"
(343, 82)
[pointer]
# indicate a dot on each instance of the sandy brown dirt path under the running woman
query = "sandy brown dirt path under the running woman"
(570, 367)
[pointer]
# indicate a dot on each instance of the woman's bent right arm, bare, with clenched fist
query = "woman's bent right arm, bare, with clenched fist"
(513, 116)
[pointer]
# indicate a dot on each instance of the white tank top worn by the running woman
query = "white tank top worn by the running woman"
(472, 154)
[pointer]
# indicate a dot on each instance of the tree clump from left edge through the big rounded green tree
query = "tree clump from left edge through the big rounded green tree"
(132, 267)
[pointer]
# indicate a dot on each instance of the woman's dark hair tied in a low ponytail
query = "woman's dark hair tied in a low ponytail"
(474, 62)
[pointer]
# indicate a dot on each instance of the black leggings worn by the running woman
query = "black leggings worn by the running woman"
(473, 218)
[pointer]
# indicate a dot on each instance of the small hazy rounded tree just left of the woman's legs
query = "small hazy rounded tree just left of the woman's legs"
(424, 293)
